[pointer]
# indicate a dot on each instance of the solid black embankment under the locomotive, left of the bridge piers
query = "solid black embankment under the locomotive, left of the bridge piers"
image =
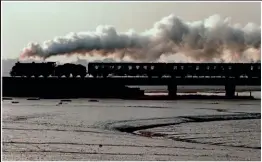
(65, 88)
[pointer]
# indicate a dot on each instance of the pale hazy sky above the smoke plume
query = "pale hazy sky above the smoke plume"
(24, 22)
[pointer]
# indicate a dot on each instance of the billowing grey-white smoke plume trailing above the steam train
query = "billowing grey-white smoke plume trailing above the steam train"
(170, 39)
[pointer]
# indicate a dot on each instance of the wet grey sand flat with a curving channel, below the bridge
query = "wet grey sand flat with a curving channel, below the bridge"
(80, 129)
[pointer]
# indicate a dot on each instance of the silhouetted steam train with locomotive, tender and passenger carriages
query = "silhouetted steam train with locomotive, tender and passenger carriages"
(104, 70)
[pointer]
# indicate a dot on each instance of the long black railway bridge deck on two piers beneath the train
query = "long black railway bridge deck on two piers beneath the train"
(97, 83)
